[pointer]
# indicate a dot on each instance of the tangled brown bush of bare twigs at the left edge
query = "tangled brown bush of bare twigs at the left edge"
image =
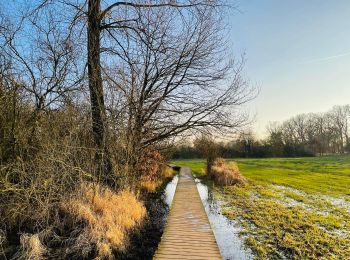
(43, 168)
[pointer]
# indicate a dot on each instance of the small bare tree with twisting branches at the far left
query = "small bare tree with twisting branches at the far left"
(44, 65)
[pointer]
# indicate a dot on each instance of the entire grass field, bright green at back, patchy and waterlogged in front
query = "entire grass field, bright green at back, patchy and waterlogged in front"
(294, 208)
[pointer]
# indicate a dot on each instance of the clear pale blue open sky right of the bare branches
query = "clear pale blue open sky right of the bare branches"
(298, 54)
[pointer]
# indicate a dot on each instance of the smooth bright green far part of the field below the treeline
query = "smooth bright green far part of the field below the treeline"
(325, 175)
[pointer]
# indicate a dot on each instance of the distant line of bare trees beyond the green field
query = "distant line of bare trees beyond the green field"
(303, 135)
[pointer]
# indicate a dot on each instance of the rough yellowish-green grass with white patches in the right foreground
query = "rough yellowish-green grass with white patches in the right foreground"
(278, 223)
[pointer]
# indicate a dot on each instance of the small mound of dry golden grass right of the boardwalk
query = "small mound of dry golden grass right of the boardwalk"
(226, 173)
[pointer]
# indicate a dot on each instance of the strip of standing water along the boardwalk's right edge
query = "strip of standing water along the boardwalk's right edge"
(226, 231)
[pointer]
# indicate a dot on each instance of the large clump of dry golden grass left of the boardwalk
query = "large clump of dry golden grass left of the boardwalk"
(108, 217)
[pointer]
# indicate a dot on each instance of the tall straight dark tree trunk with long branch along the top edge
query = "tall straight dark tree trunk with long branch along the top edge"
(98, 21)
